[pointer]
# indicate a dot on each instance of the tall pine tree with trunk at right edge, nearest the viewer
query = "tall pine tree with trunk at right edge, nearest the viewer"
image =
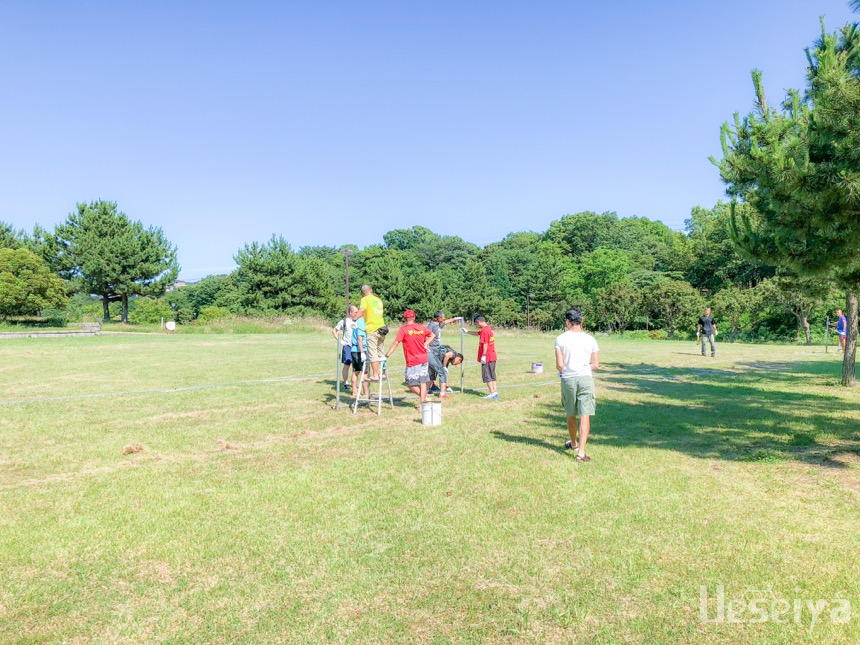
(798, 167)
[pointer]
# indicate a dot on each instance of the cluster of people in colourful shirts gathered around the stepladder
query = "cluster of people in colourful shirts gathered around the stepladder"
(363, 332)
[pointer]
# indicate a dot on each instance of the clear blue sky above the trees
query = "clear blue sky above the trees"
(332, 123)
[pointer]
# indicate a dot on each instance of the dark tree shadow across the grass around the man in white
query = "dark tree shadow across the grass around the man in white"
(759, 412)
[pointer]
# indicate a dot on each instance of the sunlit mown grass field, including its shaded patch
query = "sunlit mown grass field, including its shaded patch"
(258, 513)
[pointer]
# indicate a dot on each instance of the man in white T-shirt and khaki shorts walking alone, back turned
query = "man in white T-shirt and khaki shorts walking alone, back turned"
(576, 356)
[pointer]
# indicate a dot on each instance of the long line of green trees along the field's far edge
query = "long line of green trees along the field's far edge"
(627, 273)
